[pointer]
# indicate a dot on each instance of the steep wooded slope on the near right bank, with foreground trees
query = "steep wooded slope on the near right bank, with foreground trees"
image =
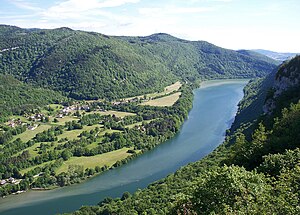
(257, 175)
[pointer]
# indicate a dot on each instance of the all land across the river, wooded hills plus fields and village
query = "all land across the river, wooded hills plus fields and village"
(63, 98)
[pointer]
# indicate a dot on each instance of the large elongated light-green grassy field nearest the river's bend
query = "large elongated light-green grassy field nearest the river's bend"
(108, 159)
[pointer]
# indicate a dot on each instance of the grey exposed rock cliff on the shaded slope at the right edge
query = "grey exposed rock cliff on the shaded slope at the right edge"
(287, 77)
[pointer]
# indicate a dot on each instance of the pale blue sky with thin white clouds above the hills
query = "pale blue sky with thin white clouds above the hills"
(234, 24)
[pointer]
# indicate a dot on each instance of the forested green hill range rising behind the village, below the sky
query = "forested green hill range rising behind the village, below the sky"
(88, 65)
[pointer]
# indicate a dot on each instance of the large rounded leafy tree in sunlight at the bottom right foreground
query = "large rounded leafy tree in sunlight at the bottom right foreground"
(229, 189)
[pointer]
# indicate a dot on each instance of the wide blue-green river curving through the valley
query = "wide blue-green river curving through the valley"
(214, 108)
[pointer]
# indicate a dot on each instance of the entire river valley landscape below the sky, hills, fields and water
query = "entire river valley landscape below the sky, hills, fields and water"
(86, 116)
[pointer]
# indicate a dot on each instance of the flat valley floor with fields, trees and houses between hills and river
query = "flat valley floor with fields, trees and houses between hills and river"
(80, 140)
